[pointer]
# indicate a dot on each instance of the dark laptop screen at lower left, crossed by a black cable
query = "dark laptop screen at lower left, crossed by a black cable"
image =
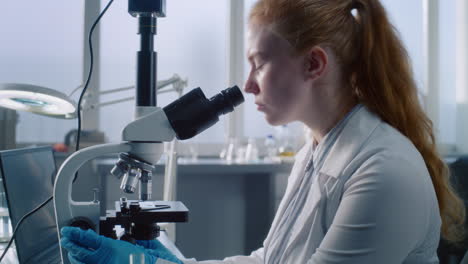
(28, 176)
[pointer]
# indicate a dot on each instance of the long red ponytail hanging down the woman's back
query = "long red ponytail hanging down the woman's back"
(384, 83)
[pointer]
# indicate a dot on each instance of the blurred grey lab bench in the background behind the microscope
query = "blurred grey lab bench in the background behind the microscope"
(231, 206)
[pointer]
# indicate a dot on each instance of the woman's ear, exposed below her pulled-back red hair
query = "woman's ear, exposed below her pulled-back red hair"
(316, 62)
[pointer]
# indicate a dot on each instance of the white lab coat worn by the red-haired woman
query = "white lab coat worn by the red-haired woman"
(372, 201)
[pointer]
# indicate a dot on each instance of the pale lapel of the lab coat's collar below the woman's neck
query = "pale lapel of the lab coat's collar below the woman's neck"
(349, 141)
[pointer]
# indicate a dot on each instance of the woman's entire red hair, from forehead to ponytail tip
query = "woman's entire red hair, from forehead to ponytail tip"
(376, 67)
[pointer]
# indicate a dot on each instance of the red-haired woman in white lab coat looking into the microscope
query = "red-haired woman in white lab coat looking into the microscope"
(370, 187)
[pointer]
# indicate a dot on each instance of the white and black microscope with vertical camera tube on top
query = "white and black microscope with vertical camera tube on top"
(141, 147)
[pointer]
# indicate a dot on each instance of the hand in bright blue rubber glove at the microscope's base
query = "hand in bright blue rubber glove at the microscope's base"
(90, 248)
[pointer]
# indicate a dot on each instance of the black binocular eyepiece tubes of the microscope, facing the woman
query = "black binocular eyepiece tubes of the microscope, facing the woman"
(193, 113)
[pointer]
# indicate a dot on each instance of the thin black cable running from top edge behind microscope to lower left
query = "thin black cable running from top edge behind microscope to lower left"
(79, 126)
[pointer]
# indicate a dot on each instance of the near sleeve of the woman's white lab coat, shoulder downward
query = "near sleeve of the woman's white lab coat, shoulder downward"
(379, 218)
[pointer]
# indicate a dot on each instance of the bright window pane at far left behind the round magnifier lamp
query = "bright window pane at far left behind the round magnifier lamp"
(42, 45)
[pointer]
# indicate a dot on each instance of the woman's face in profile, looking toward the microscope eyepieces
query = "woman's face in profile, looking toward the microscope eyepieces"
(276, 77)
